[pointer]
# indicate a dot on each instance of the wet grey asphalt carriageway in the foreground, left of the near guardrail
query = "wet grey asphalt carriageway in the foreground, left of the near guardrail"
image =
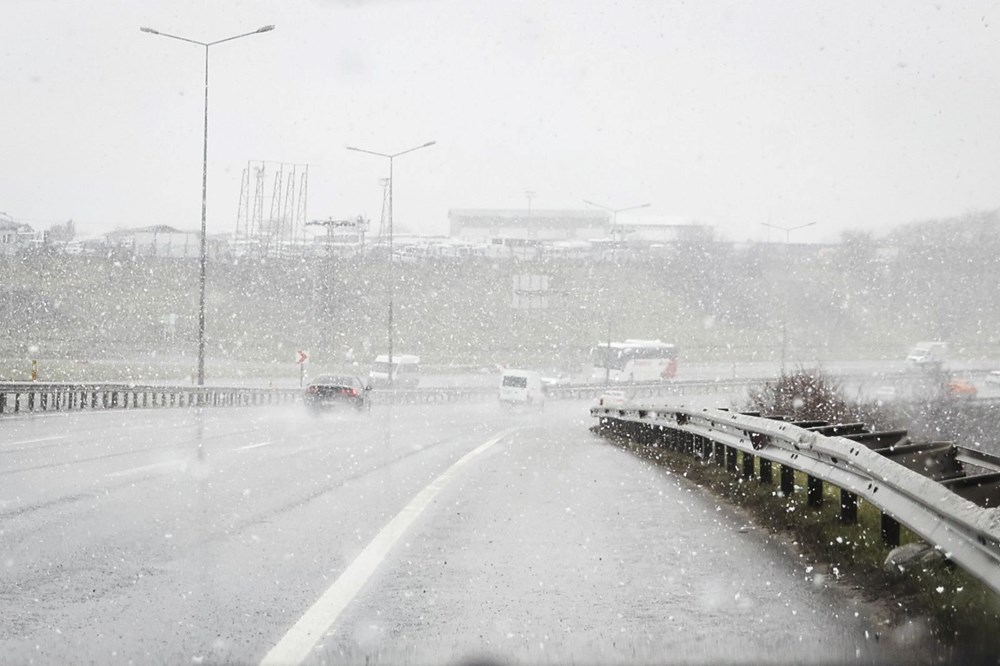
(183, 537)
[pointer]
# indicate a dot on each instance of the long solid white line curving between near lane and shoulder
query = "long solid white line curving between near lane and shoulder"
(296, 645)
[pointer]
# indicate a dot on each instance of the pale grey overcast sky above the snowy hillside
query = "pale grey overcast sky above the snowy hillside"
(847, 114)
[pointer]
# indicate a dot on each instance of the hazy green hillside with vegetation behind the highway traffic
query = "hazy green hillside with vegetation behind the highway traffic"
(860, 298)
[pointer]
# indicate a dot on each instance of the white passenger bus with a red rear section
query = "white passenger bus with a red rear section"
(634, 361)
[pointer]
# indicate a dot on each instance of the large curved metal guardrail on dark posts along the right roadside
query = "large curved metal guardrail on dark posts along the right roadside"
(927, 489)
